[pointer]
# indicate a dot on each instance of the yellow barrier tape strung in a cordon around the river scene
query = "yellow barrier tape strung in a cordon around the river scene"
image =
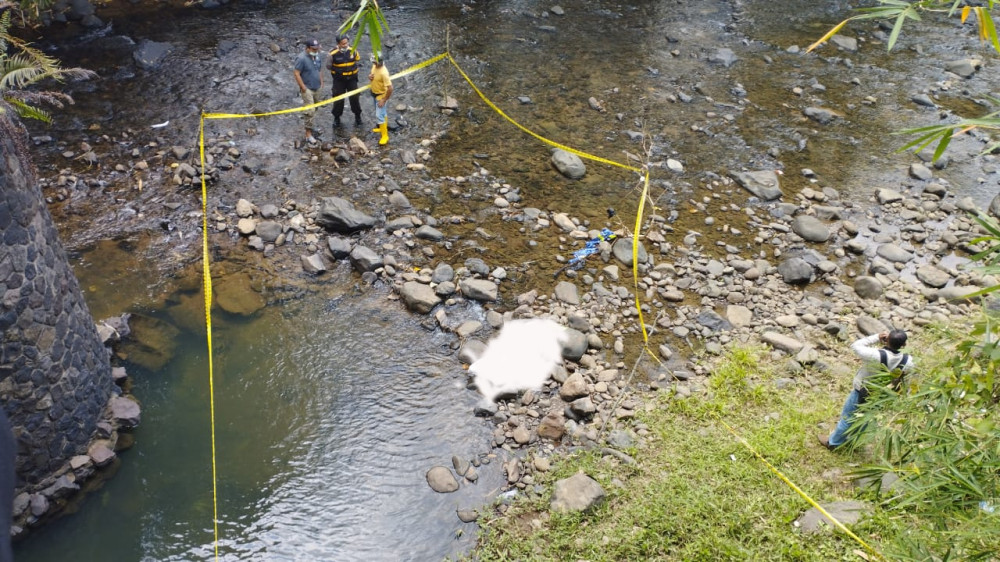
(644, 171)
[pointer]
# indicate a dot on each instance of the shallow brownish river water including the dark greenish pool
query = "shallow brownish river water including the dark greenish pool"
(332, 403)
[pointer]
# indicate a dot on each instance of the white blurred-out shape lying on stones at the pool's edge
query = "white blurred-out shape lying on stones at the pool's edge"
(521, 357)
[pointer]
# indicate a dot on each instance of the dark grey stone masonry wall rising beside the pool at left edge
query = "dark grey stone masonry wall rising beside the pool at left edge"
(55, 374)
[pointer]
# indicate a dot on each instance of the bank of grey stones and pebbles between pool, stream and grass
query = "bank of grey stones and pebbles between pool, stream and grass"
(802, 273)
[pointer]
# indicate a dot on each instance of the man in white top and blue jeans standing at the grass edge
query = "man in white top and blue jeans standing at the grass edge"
(876, 360)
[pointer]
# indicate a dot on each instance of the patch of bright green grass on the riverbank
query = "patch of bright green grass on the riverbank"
(696, 493)
